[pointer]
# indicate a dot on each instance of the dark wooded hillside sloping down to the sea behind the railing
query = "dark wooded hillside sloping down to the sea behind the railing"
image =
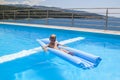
(25, 11)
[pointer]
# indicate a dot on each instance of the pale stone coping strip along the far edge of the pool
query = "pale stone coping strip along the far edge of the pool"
(65, 28)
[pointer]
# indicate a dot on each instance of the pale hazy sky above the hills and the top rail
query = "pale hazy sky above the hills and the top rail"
(67, 3)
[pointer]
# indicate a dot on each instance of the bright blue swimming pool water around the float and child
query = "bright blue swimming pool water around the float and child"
(46, 66)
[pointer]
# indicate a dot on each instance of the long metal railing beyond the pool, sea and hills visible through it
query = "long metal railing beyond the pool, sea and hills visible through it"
(99, 18)
